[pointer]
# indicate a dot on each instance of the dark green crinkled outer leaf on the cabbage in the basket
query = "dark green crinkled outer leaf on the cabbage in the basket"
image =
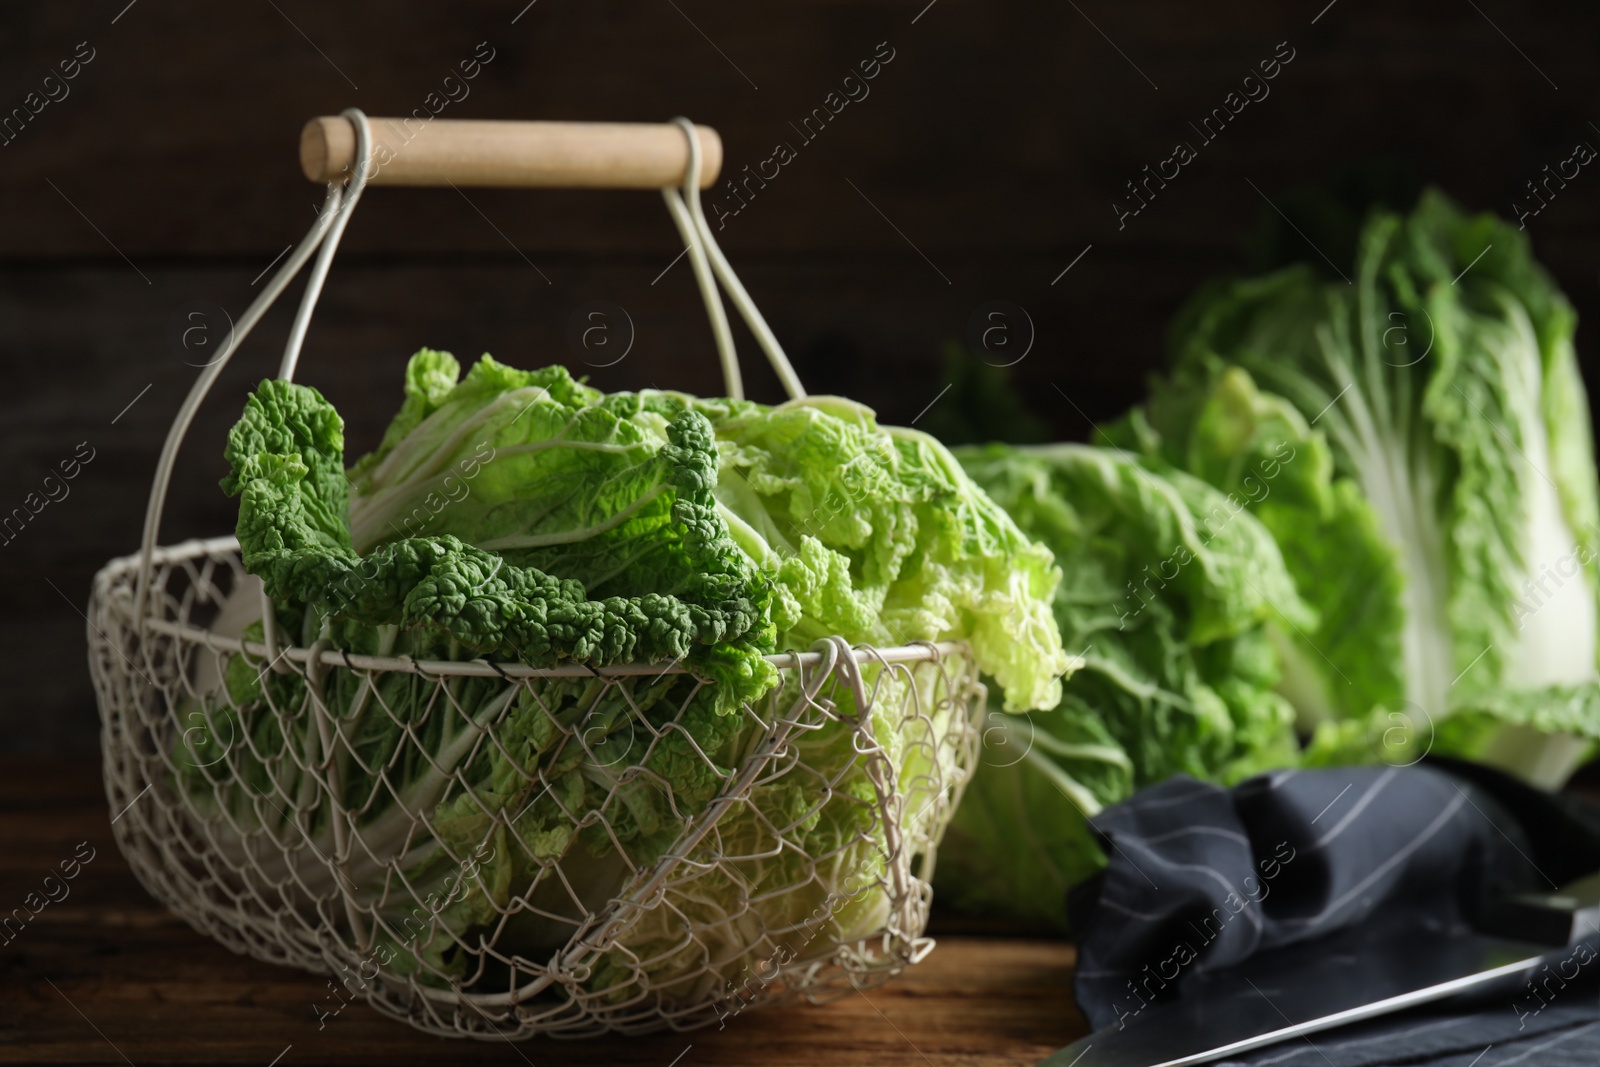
(690, 591)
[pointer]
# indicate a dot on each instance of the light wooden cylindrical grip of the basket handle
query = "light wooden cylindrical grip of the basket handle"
(511, 154)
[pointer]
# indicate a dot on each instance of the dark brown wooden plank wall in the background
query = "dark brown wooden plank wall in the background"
(983, 162)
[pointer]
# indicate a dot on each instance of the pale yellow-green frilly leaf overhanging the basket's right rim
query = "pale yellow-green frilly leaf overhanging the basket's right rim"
(878, 532)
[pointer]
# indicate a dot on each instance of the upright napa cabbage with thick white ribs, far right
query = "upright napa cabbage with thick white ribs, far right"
(1455, 549)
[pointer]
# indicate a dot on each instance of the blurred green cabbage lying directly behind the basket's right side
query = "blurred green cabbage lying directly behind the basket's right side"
(1170, 591)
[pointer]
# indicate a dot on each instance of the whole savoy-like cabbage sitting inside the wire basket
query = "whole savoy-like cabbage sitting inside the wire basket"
(522, 516)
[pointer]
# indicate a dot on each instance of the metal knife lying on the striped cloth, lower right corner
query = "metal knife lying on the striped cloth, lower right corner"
(1359, 973)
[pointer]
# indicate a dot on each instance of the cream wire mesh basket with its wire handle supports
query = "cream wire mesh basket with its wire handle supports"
(348, 813)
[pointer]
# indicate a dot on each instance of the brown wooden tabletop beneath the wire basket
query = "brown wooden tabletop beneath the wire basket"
(108, 977)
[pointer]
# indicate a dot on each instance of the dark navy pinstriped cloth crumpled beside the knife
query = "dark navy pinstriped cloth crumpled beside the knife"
(1201, 877)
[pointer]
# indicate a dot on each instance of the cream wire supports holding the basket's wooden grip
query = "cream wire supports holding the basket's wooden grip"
(711, 268)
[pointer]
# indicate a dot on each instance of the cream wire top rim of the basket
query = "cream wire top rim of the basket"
(121, 567)
